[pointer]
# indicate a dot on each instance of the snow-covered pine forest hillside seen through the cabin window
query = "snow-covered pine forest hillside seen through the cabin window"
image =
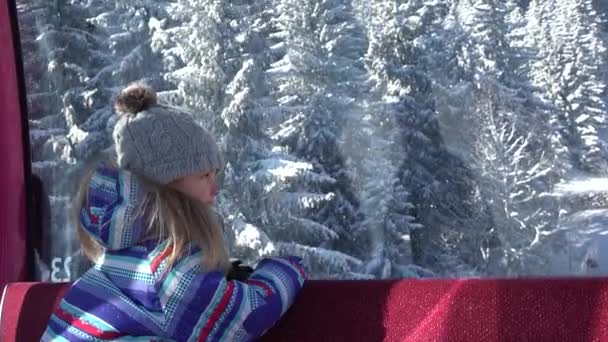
(375, 139)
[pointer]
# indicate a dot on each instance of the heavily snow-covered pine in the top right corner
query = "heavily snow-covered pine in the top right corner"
(568, 37)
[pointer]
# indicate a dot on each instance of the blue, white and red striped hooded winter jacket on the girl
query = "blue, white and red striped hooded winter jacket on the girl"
(130, 294)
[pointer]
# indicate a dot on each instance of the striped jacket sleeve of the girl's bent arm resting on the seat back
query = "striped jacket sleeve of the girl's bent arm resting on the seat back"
(208, 307)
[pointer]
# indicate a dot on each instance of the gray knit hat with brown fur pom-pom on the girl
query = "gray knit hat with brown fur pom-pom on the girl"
(158, 142)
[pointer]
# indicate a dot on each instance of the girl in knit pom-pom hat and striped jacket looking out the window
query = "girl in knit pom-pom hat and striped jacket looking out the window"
(160, 264)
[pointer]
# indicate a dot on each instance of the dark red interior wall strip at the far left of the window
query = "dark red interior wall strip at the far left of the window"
(12, 180)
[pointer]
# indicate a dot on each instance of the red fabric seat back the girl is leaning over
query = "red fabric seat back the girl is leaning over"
(408, 310)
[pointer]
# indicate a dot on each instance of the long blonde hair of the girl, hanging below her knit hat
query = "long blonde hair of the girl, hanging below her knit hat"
(171, 216)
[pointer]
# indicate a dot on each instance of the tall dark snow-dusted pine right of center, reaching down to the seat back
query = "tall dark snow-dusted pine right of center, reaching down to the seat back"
(398, 59)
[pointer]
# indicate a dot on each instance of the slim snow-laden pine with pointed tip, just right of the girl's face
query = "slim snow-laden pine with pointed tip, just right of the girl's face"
(245, 144)
